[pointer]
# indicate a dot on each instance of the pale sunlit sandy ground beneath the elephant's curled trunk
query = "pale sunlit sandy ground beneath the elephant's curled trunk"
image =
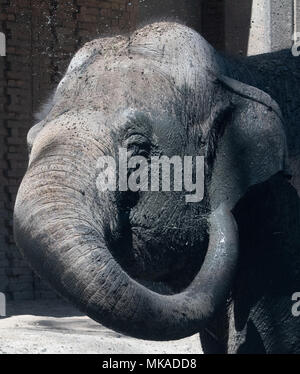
(56, 327)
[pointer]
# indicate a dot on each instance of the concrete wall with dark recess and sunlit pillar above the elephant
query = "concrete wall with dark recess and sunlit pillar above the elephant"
(238, 27)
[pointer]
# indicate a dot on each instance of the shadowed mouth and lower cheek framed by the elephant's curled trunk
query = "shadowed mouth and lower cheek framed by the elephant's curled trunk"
(140, 248)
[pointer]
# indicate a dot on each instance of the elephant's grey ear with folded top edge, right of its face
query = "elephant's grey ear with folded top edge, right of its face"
(252, 147)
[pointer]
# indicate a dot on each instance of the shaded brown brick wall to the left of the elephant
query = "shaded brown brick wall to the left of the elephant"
(41, 38)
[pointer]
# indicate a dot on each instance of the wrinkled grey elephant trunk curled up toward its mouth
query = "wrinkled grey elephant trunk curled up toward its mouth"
(60, 224)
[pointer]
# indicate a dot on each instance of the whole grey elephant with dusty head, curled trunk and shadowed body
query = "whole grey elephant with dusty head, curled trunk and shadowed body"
(147, 263)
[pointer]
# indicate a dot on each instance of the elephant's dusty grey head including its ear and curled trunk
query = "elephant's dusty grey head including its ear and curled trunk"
(145, 263)
